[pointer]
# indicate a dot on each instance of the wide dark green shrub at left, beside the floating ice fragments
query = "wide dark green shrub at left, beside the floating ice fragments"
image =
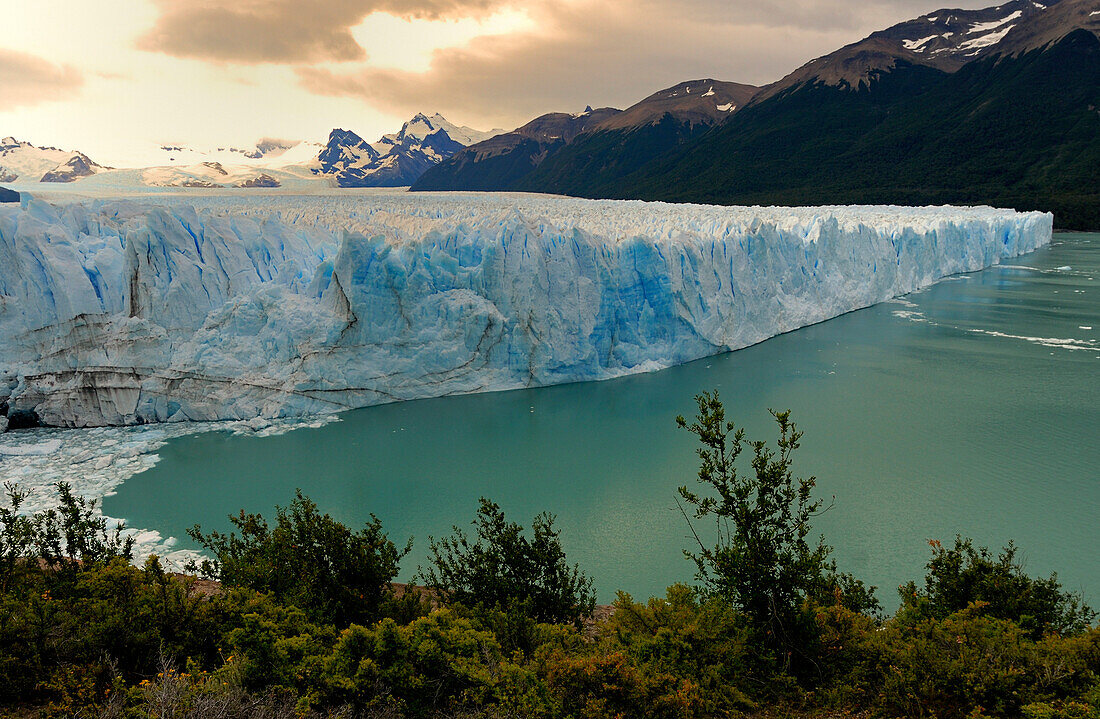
(307, 559)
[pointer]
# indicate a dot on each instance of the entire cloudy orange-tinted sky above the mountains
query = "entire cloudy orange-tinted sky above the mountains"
(116, 78)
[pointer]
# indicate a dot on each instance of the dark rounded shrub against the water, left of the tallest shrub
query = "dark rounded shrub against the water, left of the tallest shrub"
(503, 569)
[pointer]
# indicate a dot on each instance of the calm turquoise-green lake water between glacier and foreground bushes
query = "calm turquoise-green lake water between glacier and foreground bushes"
(972, 407)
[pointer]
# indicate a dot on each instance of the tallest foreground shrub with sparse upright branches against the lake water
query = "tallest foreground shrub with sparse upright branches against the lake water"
(762, 561)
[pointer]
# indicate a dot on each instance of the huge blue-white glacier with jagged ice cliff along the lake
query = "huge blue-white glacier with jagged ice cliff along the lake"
(222, 307)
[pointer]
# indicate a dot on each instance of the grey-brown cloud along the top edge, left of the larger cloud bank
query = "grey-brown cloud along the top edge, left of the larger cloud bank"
(281, 31)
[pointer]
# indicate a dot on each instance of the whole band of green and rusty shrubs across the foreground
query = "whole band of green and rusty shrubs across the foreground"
(304, 620)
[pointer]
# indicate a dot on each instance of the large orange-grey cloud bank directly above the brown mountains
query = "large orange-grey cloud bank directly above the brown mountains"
(613, 53)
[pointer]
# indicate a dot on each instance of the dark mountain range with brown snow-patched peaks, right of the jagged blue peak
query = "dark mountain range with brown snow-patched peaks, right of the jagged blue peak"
(998, 106)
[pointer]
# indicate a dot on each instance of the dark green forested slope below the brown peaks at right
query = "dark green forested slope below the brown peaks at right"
(1014, 131)
